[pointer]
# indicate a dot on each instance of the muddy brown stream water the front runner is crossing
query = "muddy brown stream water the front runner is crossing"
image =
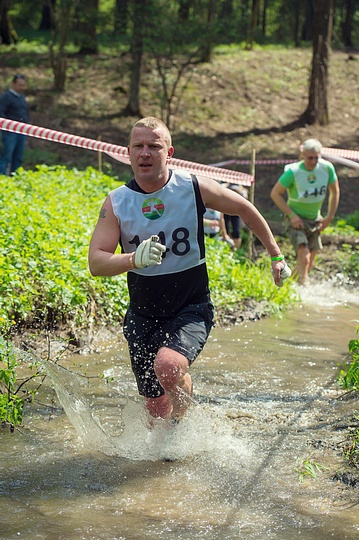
(265, 400)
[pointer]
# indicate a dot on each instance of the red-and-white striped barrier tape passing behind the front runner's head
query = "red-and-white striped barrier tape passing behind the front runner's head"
(120, 152)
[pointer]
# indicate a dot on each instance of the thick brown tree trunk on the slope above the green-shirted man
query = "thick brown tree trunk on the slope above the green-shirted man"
(318, 110)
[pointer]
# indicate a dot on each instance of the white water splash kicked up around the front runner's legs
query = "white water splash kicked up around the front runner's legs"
(203, 430)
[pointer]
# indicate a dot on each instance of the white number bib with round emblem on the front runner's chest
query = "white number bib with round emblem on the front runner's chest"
(171, 213)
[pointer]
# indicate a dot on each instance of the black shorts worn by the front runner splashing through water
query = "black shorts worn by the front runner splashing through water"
(186, 333)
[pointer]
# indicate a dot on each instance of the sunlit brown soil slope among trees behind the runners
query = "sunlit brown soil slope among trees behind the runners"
(248, 101)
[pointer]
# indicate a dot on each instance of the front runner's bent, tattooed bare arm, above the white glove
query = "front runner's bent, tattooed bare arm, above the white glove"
(102, 258)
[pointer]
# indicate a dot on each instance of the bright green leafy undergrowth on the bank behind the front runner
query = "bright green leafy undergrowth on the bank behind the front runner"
(44, 241)
